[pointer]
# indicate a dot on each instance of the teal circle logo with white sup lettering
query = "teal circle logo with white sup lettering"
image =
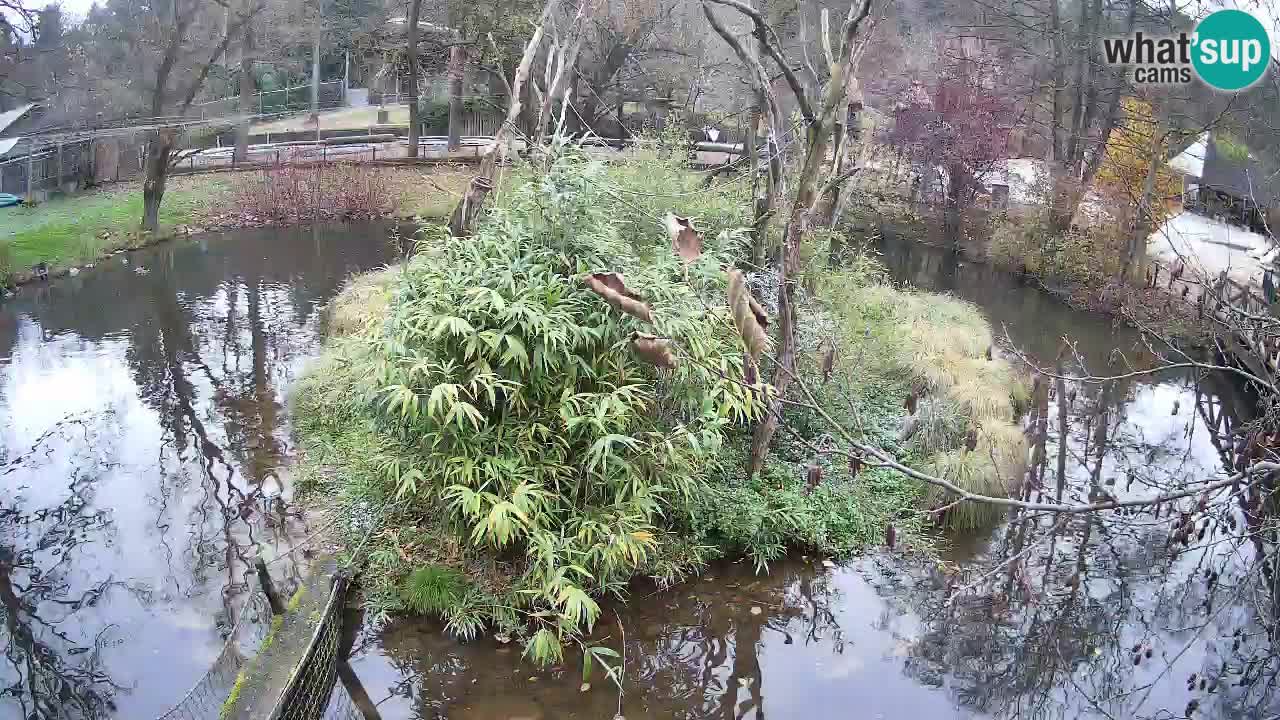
(1232, 51)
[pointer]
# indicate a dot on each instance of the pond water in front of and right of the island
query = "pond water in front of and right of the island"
(1101, 619)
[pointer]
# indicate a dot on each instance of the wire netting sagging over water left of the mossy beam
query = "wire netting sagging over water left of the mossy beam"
(205, 700)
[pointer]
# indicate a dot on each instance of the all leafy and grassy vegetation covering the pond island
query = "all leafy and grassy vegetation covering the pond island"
(490, 436)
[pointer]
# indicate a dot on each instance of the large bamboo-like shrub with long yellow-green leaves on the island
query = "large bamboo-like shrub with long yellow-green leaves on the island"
(532, 426)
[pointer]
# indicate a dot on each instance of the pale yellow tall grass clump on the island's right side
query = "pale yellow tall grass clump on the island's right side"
(936, 353)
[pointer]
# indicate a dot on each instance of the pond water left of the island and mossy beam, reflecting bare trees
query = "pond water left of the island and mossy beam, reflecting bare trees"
(144, 459)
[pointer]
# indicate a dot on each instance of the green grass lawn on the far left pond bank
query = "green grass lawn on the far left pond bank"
(79, 229)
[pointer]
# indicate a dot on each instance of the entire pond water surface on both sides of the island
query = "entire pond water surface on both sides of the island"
(144, 461)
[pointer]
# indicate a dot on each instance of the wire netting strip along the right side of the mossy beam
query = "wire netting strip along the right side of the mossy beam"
(314, 681)
